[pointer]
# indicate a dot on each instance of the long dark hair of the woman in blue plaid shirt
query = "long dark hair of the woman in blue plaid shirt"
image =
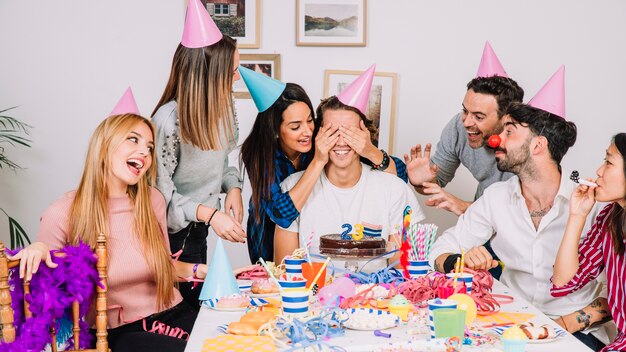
(258, 151)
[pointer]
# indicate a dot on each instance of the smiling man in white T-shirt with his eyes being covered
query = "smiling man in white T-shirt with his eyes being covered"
(348, 192)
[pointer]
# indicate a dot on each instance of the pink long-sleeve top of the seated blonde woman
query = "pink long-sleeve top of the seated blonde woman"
(132, 290)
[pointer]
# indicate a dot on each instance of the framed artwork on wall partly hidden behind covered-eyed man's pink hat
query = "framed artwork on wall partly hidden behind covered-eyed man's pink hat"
(381, 105)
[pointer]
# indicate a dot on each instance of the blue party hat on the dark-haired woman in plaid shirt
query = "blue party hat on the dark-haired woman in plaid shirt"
(263, 89)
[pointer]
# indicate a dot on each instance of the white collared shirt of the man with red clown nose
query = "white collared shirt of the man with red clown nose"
(528, 254)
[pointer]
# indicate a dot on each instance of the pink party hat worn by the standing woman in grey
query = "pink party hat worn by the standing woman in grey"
(200, 30)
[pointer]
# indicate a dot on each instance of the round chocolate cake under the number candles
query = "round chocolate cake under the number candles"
(333, 245)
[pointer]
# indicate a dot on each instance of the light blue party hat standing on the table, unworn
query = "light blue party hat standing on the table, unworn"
(220, 280)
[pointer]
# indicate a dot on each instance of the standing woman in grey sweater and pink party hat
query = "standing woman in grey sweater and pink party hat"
(196, 130)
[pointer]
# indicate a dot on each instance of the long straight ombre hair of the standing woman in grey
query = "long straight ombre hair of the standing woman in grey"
(201, 83)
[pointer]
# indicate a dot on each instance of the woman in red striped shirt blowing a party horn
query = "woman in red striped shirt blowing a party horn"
(603, 248)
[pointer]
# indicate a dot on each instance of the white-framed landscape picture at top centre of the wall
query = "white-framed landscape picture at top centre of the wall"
(330, 22)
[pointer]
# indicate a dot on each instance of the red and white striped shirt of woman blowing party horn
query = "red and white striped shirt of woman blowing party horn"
(596, 253)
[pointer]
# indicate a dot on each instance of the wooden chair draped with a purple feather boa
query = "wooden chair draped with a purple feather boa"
(6, 312)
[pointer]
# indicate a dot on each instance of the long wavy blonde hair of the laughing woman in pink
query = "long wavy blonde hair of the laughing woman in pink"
(89, 211)
